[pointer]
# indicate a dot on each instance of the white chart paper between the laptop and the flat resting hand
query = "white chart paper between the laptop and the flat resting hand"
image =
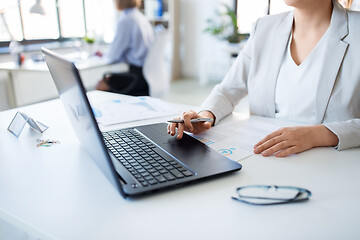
(236, 139)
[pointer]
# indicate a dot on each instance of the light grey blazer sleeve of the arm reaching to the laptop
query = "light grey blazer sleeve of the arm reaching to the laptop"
(224, 97)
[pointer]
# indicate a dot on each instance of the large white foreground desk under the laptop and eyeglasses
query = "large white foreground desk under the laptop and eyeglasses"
(59, 193)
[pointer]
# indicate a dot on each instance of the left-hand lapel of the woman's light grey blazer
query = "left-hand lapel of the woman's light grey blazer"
(279, 43)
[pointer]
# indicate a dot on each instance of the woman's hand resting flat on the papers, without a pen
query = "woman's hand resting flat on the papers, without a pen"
(290, 140)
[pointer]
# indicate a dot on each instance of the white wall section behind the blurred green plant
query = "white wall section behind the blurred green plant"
(199, 50)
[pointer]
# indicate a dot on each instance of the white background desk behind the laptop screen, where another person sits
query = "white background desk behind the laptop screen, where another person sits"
(31, 82)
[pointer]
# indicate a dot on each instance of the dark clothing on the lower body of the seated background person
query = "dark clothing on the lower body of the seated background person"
(129, 83)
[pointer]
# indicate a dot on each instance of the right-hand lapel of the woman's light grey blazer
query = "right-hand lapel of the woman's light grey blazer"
(336, 49)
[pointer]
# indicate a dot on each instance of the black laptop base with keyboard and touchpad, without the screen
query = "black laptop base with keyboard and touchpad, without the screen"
(147, 165)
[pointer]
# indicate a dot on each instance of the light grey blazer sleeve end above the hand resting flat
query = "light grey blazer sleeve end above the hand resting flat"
(348, 133)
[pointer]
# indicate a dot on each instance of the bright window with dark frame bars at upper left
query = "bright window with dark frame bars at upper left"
(62, 19)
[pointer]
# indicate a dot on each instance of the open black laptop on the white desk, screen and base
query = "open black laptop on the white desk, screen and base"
(136, 160)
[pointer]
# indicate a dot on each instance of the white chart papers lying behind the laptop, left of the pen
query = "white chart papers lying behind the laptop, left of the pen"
(122, 109)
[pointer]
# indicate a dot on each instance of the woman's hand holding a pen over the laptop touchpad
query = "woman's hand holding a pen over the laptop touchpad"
(198, 127)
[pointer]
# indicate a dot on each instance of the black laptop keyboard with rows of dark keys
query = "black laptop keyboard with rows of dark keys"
(139, 157)
